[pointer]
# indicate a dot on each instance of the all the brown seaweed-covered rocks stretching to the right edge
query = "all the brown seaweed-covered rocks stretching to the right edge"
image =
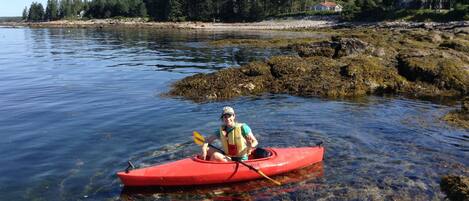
(415, 63)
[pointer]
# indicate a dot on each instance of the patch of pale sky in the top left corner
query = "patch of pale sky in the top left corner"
(10, 8)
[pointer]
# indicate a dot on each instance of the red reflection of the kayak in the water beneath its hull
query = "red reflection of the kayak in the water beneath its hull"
(302, 179)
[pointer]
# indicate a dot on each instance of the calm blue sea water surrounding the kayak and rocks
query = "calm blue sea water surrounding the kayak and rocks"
(76, 104)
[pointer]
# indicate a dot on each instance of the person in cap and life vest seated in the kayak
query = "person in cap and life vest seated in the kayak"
(237, 139)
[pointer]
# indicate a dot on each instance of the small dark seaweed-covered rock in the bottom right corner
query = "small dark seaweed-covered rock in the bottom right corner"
(456, 188)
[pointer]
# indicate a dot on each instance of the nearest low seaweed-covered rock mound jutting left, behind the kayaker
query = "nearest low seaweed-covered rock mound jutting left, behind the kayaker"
(312, 76)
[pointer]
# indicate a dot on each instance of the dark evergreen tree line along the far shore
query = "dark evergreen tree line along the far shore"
(220, 10)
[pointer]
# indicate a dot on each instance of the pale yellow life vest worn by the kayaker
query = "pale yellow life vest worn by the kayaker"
(234, 144)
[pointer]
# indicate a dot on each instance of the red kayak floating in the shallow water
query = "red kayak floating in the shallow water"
(194, 171)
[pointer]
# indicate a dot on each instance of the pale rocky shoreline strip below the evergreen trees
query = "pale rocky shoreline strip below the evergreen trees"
(289, 24)
